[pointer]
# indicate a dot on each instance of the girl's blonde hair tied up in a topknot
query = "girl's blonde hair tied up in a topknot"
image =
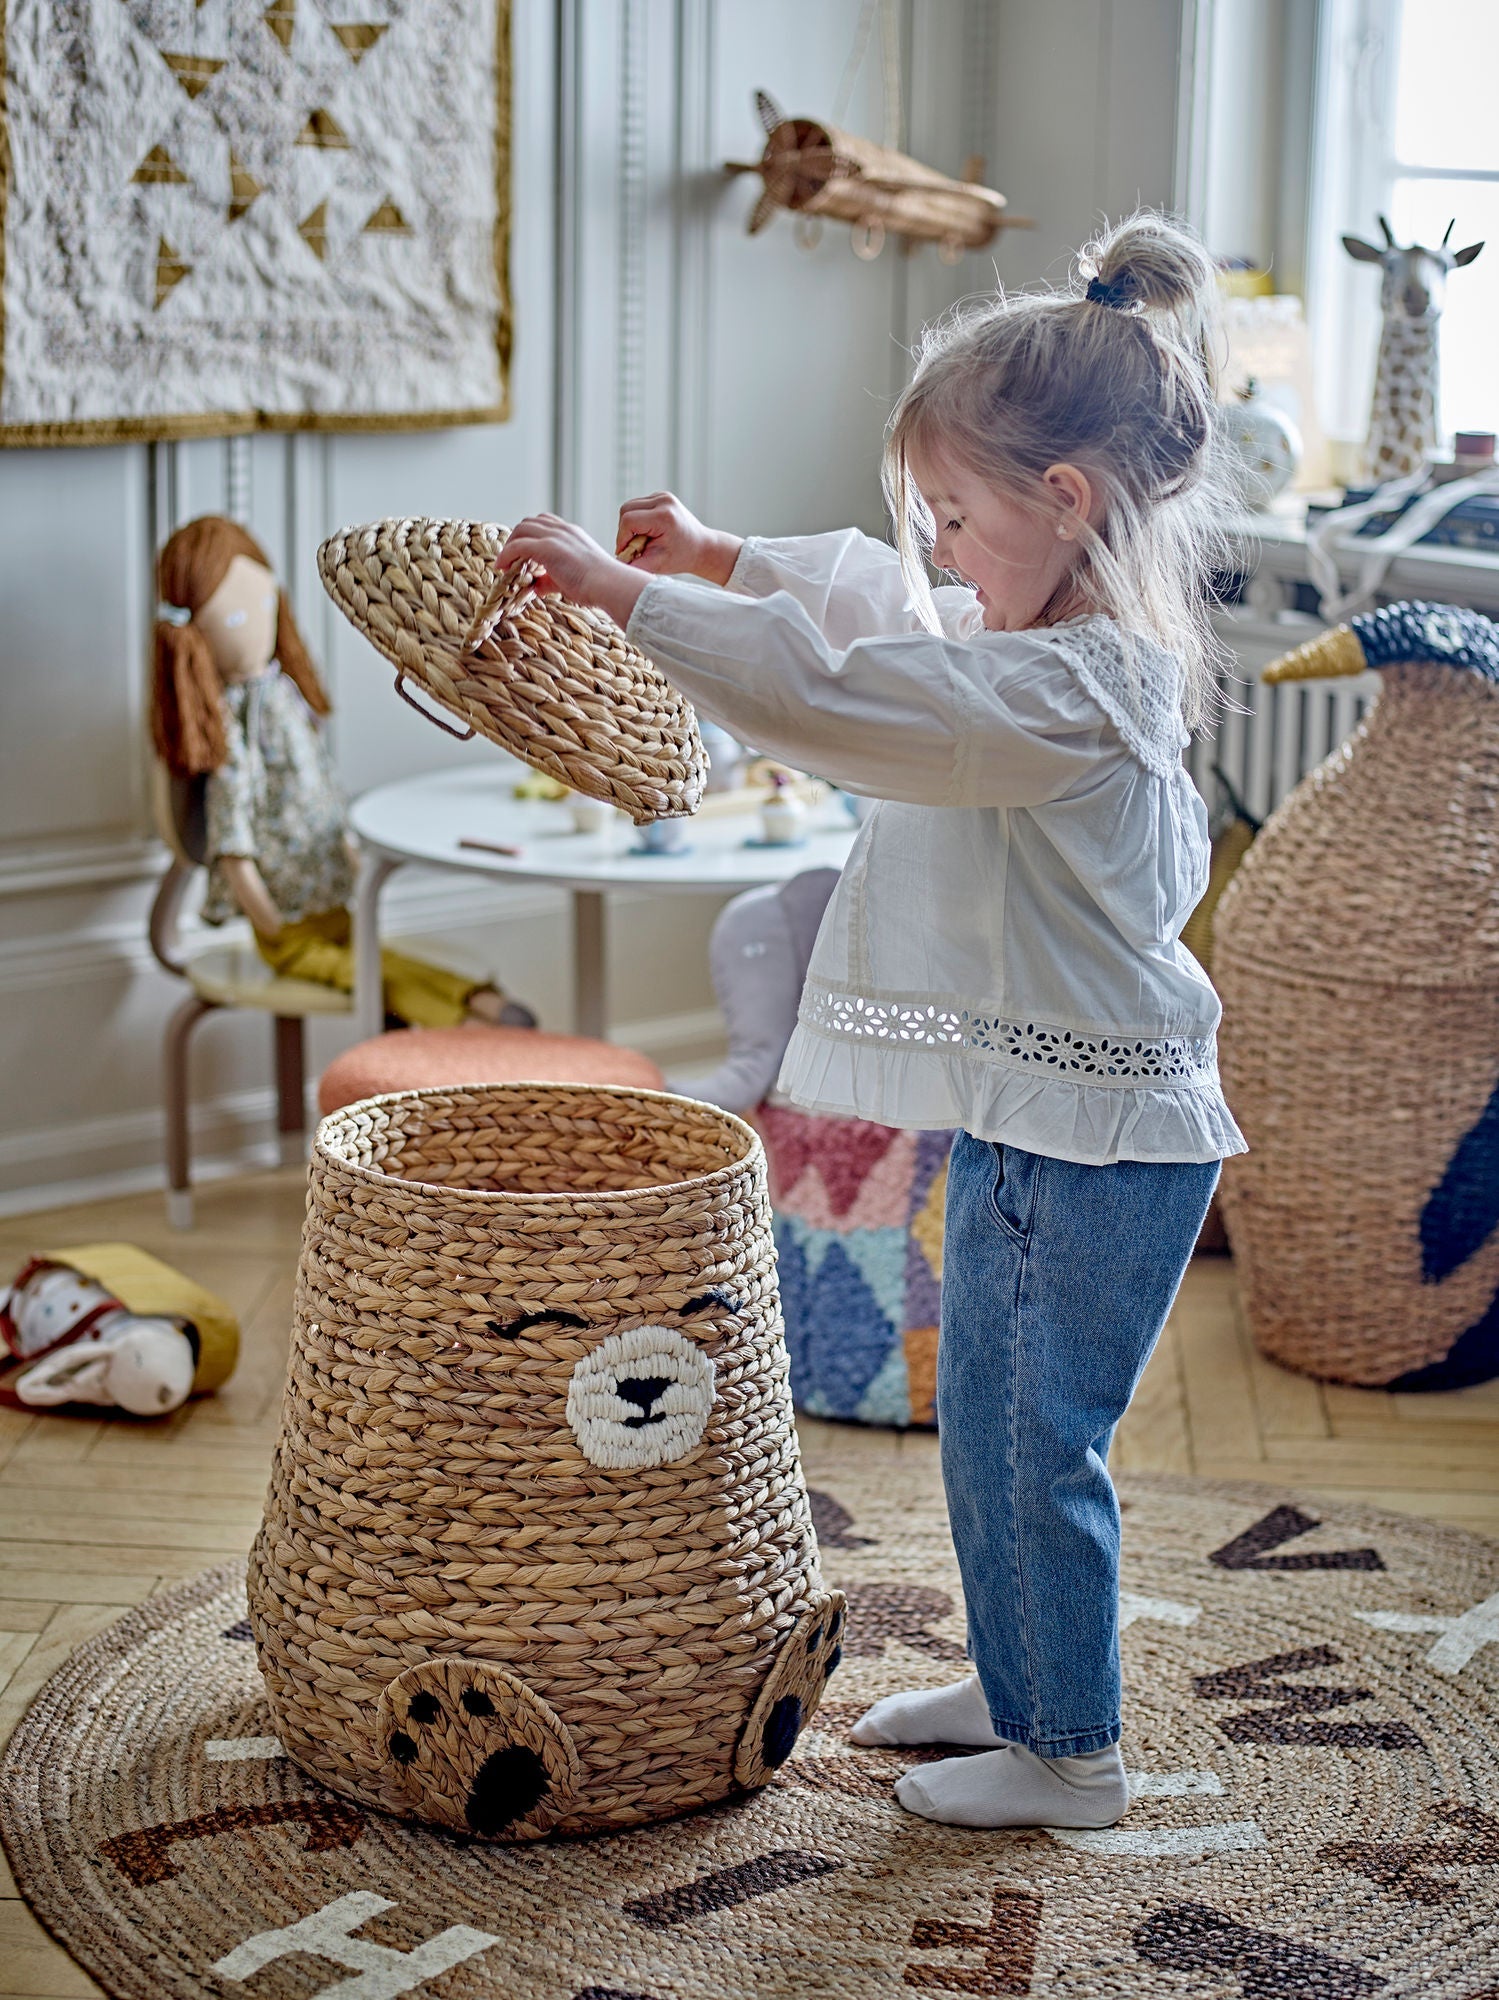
(1116, 377)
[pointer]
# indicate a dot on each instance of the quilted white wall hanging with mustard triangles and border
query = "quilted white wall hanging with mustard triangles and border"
(237, 217)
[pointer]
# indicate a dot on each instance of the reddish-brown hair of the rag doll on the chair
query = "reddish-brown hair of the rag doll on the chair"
(187, 715)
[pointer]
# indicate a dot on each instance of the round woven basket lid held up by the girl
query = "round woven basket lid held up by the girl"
(555, 685)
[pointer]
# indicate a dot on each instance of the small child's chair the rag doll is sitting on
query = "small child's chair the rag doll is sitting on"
(229, 975)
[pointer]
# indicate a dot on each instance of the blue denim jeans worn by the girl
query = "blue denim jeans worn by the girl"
(1056, 1285)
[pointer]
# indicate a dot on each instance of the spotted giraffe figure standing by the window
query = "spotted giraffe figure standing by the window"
(1404, 417)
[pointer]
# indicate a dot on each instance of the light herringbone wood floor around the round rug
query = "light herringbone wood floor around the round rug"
(95, 1513)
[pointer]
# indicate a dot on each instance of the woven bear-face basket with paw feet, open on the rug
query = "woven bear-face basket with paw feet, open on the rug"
(537, 1553)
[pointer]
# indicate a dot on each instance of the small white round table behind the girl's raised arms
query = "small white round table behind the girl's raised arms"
(427, 819)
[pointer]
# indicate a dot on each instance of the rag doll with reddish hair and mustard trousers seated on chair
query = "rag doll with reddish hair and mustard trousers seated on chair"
(237, 705)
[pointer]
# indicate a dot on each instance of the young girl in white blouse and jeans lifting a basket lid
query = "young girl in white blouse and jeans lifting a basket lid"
(1002, 949)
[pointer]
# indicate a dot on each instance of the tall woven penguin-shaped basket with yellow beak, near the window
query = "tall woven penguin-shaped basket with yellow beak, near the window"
(1358, 959)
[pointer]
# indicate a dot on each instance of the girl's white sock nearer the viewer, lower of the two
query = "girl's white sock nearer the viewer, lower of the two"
(1014, 1787)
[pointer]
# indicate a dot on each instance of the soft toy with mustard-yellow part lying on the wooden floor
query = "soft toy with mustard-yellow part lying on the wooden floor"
(109, 1325)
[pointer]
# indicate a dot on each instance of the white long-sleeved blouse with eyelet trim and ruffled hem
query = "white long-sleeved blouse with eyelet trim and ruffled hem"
(1002, 951)
